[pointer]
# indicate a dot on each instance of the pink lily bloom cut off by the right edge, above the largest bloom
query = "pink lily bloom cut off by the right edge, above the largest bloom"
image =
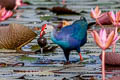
(115, 18)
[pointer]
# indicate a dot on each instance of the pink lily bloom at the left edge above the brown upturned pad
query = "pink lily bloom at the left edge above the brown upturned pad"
(4, 14)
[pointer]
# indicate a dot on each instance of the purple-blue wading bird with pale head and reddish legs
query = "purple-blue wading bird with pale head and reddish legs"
(70, 37)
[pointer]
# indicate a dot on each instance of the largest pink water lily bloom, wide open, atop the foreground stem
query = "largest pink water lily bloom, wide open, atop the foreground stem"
(102, 39)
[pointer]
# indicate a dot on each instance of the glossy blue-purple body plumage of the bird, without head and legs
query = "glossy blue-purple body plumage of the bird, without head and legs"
(71, 36)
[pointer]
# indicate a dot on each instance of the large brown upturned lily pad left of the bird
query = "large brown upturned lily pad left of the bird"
(15, 36)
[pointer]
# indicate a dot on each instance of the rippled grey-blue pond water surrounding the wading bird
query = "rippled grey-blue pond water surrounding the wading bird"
(50, 65)
